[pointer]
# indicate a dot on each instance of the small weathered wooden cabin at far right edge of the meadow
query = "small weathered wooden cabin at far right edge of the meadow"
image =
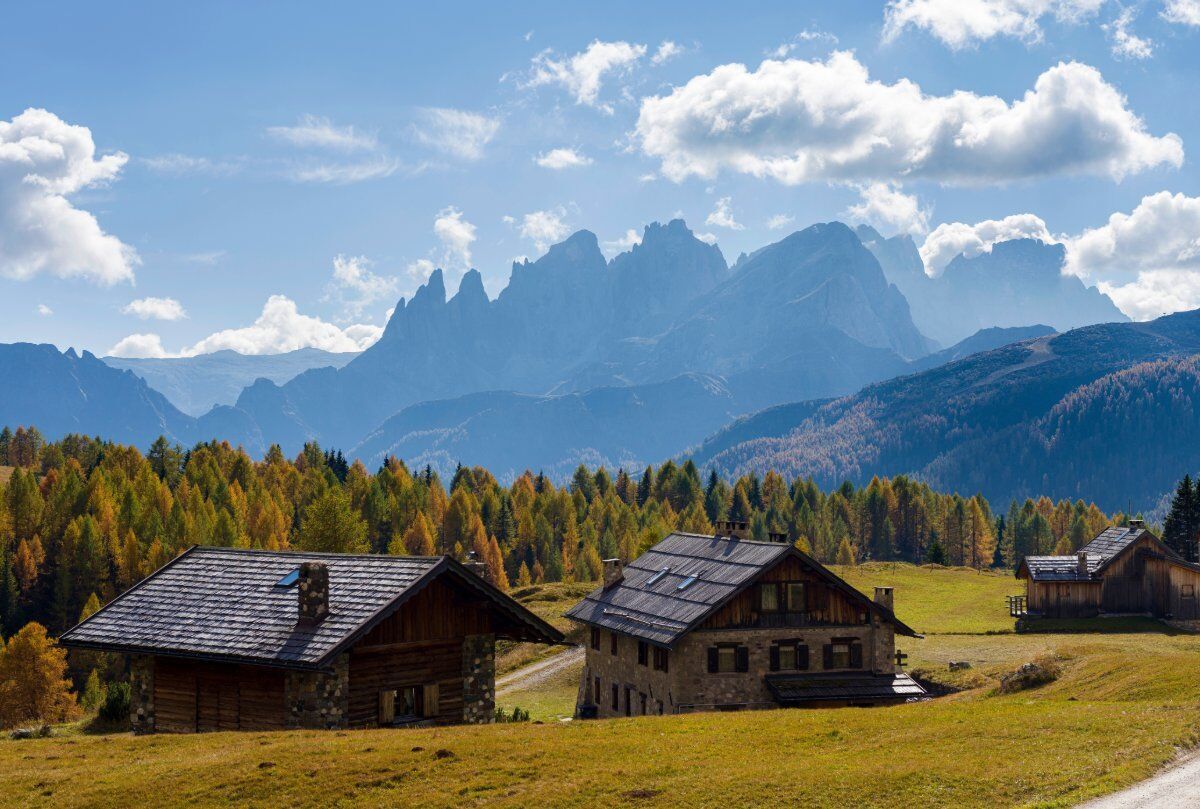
(1124, 571)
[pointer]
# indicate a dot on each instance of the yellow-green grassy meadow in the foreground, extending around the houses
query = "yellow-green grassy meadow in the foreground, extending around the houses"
(1125, 704)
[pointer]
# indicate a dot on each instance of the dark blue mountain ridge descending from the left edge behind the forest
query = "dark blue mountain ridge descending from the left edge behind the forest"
(62, 393)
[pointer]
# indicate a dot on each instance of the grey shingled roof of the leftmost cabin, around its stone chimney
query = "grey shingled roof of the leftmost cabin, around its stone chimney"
(227, 604)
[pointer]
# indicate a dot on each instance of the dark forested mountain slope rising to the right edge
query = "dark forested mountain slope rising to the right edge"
(1076, 415)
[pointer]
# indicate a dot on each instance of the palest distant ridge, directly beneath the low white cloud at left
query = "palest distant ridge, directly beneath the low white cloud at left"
(195, 385)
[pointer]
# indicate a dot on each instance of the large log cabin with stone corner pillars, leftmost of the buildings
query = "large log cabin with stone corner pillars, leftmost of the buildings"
(225, 639)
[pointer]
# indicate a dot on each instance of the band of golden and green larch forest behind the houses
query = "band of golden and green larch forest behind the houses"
(82, 520)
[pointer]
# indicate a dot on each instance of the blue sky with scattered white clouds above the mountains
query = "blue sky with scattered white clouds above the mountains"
(183, 178)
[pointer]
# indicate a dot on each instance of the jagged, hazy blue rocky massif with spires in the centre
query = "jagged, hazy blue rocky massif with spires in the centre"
(809, 316)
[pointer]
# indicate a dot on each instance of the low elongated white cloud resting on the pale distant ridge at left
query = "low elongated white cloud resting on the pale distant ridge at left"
(280, 328)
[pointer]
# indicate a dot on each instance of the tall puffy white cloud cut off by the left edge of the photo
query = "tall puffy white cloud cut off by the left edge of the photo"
(44, 161)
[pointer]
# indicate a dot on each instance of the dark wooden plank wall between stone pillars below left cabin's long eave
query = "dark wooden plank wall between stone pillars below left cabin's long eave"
(193, 696)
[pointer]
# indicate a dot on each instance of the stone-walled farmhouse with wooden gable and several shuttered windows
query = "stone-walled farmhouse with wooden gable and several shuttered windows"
(701, 624)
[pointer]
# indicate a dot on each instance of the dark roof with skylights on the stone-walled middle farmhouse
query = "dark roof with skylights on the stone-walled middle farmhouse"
(659, 608)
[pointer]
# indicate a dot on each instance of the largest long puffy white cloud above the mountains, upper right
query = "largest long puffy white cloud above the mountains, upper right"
(799, 122)
